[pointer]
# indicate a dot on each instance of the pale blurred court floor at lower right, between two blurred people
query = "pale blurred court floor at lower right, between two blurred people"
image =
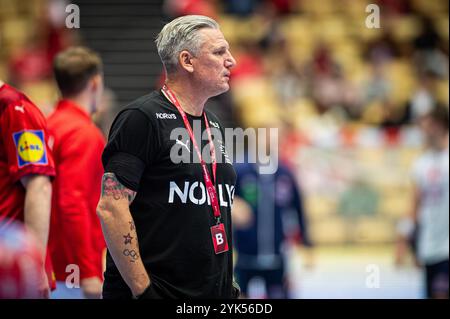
(353, 272)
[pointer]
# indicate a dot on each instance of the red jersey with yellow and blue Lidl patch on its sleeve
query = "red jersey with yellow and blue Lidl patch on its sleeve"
(23, 151)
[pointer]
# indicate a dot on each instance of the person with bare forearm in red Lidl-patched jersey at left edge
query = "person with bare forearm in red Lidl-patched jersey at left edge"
(26, 166)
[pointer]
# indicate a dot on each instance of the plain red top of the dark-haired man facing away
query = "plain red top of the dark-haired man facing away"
(75, 232)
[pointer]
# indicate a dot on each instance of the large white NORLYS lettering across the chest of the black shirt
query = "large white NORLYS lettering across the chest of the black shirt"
(196, 193)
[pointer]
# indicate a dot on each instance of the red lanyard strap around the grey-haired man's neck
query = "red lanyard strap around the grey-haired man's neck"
(209, 183)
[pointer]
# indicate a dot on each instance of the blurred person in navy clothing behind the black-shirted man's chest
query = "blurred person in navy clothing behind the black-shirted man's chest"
(276, 206)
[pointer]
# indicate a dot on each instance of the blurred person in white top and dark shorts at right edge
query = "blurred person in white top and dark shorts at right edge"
(431, 202)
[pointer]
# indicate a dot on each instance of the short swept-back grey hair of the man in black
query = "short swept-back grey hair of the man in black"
(181, 34)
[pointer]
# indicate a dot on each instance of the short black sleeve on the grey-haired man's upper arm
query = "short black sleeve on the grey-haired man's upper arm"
(129, 148)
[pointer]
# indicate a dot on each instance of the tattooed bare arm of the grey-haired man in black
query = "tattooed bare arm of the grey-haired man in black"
(120, 232)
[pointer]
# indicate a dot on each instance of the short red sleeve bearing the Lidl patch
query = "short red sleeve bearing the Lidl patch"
(24, 134)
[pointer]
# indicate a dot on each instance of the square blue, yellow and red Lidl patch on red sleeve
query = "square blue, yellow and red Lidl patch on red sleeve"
(30, 146)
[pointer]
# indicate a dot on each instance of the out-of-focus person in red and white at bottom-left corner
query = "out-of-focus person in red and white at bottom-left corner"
(20, 263)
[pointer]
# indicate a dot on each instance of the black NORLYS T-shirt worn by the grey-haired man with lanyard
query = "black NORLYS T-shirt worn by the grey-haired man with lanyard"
(149, 154)
